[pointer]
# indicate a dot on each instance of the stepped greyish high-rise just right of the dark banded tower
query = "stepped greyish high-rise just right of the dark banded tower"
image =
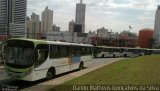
(33, 26)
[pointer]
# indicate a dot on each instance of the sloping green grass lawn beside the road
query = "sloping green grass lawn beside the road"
(137, 71)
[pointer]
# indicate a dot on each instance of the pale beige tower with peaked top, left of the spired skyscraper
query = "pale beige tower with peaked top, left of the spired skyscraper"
(47, 20)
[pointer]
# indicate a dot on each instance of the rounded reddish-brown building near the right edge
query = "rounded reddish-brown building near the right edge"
(145, 38)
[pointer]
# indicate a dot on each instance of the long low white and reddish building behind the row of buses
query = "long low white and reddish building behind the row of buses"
(124, 39)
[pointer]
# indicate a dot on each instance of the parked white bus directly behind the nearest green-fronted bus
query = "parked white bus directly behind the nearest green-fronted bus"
(108, 52)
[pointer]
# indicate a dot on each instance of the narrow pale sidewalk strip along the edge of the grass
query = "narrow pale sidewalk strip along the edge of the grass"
(50, 84)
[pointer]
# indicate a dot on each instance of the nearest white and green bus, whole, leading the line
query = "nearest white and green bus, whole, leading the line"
(31, 60)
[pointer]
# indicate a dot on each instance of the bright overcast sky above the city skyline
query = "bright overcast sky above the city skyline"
(111, 14)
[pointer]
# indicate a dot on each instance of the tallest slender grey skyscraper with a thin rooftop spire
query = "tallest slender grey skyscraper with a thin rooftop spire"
(80, 15)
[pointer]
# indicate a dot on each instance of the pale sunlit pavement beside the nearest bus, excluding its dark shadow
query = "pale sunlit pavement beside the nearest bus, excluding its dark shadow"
(97, 63)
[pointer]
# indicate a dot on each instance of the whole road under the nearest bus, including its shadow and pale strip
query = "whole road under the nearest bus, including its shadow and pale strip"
(45, 84)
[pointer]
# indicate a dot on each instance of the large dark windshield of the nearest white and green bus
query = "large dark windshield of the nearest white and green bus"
(19, 56)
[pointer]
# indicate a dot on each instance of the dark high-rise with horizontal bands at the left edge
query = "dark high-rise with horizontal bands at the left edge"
(13, 18)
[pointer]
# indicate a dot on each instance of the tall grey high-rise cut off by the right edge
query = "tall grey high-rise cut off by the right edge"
(157, 28)
